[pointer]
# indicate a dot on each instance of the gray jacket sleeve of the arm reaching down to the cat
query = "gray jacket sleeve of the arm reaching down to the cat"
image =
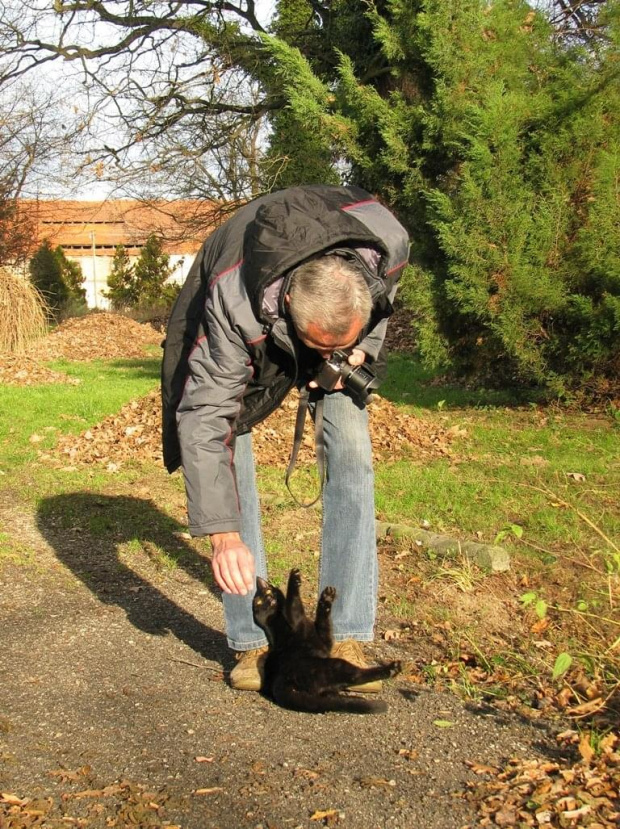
(219, 370)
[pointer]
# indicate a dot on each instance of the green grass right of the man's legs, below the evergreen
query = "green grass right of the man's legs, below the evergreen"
(509, 464)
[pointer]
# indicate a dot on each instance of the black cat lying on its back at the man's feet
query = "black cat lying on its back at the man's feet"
(299, 672)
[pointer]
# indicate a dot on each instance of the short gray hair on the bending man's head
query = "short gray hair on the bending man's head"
(331, 293)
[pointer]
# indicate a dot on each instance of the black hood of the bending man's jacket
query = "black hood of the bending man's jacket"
(304, 223)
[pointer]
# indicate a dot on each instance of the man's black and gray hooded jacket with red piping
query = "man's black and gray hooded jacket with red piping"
(231, 353)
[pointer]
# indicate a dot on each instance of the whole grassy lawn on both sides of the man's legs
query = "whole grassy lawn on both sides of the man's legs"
(551, 473)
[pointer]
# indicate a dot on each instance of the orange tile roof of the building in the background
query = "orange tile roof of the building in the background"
(76, 225)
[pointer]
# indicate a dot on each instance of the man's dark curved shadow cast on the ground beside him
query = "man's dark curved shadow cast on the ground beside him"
(86, 530)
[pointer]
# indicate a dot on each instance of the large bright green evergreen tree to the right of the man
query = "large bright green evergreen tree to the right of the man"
(497, 145)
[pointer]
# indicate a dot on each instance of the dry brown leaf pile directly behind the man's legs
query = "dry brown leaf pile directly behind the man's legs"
(135, 434)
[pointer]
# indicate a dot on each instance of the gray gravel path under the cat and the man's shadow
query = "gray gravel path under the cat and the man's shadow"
(115, 712)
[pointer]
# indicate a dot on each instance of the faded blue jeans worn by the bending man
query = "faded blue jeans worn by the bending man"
(348, 547)
